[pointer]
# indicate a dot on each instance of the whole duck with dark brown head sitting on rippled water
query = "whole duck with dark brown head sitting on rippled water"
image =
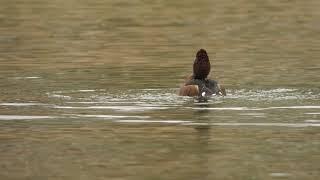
(198, 83)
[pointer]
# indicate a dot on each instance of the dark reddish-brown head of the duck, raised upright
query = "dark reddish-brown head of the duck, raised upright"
(201, 65)
